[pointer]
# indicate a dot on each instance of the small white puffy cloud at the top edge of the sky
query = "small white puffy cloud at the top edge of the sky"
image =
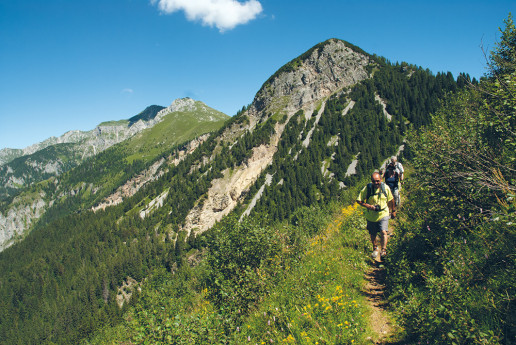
(223, 14)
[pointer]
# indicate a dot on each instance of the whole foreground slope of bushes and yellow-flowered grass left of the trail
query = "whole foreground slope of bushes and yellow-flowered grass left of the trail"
(312, 292)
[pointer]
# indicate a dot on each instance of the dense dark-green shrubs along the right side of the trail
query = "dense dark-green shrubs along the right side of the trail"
(452, 273)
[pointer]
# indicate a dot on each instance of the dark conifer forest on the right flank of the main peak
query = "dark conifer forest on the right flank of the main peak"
(364, 130)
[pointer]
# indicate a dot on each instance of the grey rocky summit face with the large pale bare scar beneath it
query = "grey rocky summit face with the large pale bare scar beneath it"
(308, 82)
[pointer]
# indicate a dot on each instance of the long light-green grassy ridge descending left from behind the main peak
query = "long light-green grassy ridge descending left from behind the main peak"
(100, 175)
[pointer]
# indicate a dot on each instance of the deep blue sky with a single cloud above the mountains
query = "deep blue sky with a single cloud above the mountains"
(72, 64)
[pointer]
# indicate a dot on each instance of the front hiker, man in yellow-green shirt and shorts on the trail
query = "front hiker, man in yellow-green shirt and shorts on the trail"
(378, 200)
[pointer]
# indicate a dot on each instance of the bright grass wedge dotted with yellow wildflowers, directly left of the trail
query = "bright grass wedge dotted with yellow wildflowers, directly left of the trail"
(320, 300)
